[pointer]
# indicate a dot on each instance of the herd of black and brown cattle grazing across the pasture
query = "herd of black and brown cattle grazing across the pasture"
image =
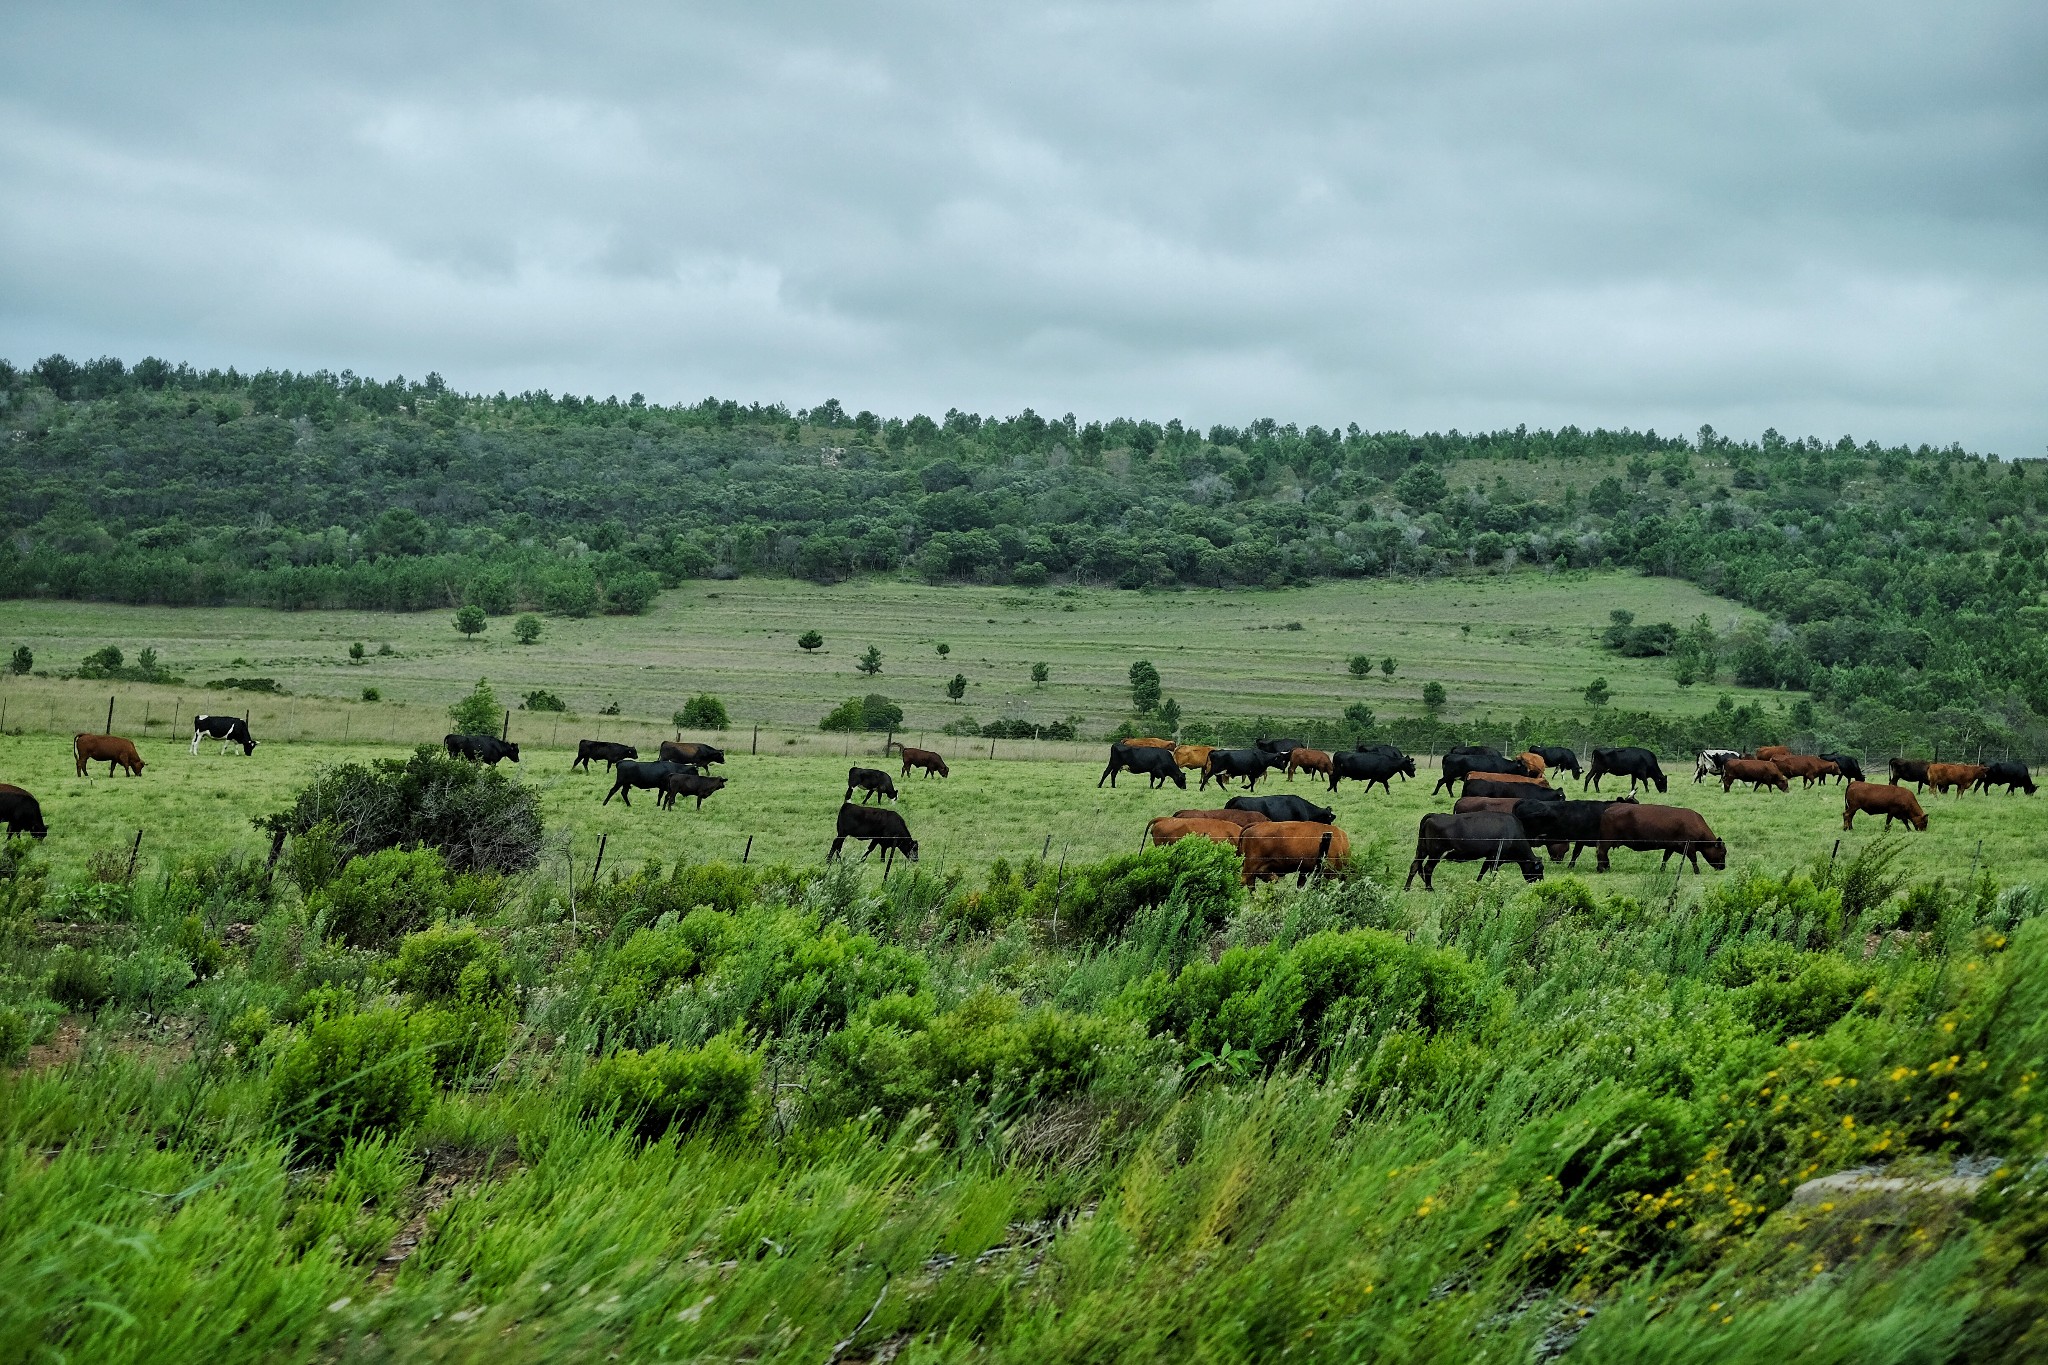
(1506, 807)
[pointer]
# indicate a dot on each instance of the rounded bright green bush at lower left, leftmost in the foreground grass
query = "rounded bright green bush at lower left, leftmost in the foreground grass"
(349, 1075)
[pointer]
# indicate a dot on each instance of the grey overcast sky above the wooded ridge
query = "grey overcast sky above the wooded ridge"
(1822, 218)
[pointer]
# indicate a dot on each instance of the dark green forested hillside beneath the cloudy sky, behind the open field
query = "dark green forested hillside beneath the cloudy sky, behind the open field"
(1902, 578)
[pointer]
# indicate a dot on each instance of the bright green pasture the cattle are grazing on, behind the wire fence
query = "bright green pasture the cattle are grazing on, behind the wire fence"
(1005, 807)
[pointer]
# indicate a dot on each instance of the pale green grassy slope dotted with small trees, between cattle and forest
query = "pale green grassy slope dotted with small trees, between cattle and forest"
(1496, 642)
